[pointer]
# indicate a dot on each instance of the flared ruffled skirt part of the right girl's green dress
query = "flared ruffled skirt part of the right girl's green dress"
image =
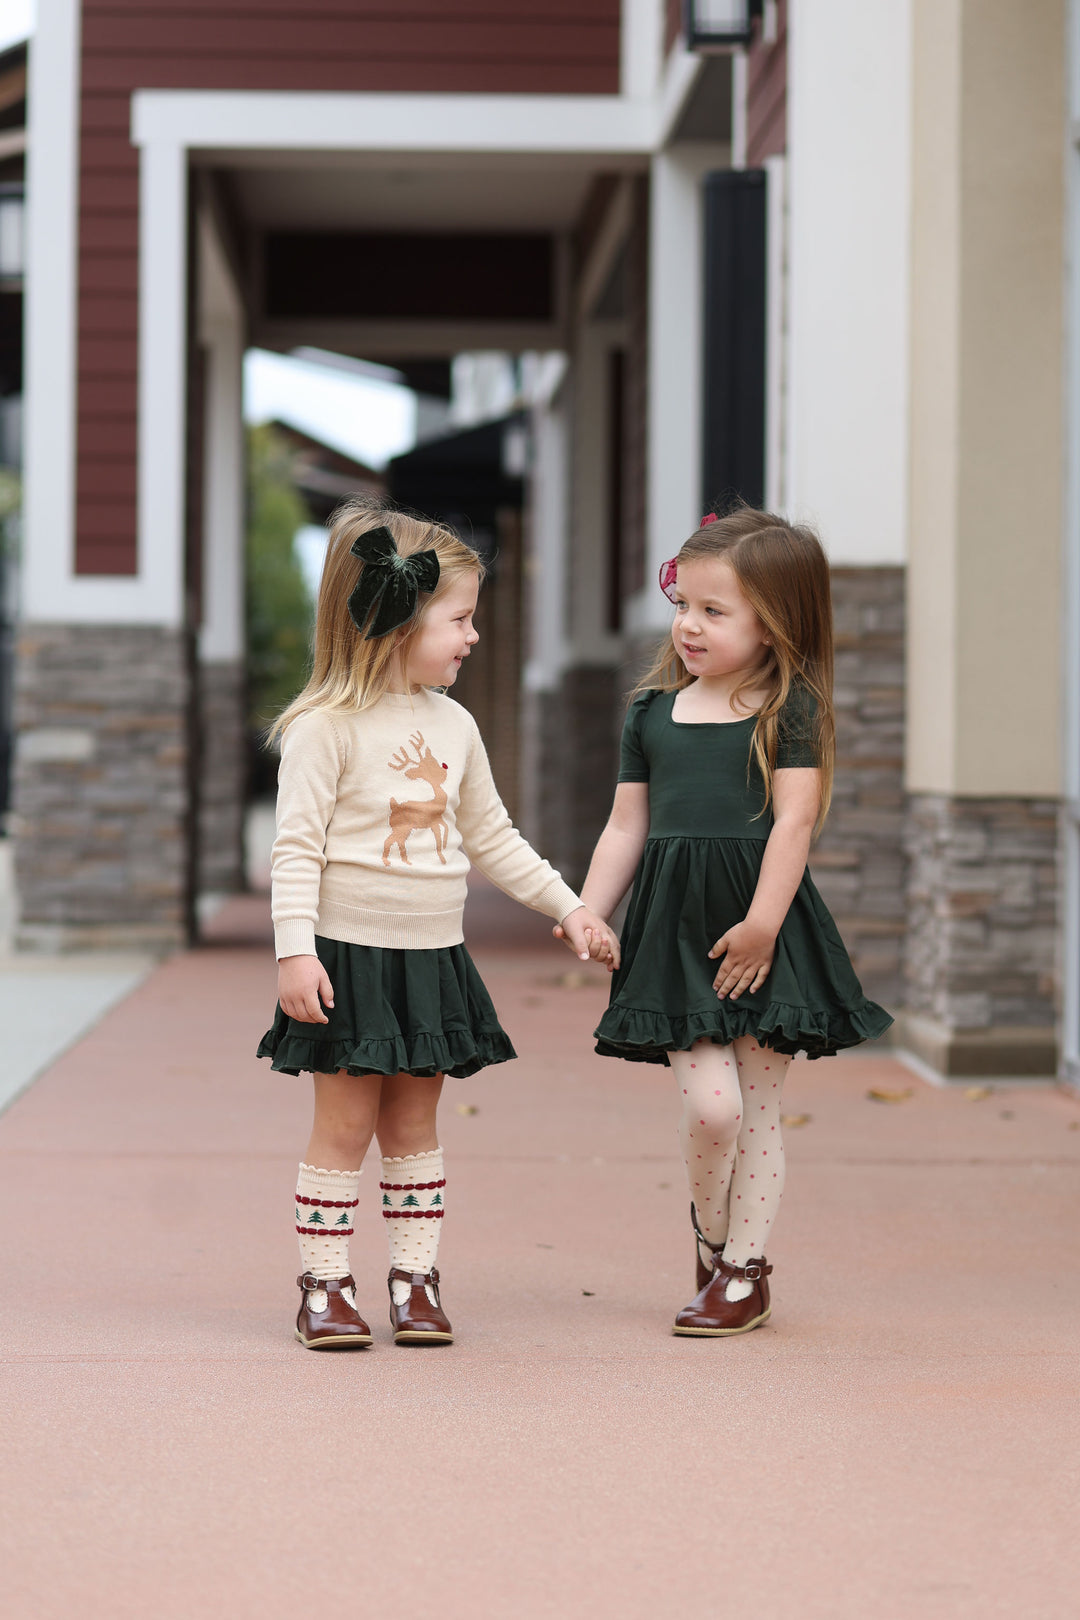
(687, 893)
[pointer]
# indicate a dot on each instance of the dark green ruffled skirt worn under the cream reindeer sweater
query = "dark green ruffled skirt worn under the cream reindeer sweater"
(394, 1013)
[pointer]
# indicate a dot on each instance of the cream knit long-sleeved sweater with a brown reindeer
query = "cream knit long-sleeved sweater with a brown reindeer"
(380, 816)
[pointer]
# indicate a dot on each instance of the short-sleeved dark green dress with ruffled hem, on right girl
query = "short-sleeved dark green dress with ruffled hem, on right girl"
(697, 879)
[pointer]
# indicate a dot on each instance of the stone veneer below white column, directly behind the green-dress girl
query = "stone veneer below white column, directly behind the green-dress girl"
(859, 861)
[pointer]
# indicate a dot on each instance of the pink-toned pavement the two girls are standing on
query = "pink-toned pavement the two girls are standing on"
(899, 1441)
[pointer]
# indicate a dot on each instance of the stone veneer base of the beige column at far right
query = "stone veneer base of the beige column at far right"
(984, 889)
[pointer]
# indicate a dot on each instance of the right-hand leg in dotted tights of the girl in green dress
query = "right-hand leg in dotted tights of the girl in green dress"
(759, 1179)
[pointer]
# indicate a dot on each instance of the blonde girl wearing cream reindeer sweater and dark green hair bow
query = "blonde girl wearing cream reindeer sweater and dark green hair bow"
(385, 799)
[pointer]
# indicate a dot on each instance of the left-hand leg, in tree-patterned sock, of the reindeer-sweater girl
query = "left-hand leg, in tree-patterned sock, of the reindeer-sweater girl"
(346, 1111)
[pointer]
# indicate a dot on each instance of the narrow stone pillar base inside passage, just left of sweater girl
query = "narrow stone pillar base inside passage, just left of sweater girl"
(223, 778)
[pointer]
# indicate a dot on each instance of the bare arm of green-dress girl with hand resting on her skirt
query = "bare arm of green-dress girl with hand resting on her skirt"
(747, 950)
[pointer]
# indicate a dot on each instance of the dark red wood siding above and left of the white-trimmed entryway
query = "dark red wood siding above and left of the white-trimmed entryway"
(490, 46)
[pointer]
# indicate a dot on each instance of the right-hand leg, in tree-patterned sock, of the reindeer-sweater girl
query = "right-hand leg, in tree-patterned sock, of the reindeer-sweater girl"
(414, 1182)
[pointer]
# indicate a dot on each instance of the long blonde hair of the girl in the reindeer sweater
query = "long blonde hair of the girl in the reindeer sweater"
(349, 671)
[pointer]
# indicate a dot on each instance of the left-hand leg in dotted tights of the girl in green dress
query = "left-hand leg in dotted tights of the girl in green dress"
(708, 1130)
